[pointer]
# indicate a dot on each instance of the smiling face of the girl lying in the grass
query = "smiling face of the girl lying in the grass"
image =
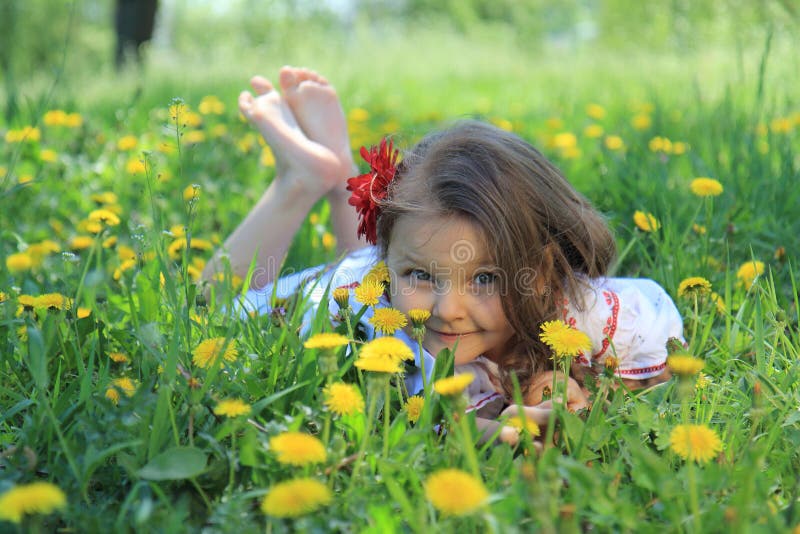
(441, 265)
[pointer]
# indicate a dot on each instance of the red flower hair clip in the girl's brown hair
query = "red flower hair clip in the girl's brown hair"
(372, 187)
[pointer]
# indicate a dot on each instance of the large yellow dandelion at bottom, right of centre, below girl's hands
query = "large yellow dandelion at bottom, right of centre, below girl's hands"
(454, 492)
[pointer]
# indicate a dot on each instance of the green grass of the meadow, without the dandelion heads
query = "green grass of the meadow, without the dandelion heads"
(612, 467)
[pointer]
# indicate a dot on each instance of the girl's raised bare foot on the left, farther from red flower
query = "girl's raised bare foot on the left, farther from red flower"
(299, 161)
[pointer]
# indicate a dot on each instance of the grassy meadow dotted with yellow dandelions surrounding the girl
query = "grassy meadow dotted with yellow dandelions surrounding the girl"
(131, 401)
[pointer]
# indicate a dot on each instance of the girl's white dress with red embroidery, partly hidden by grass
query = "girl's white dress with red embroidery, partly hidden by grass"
(630, 318)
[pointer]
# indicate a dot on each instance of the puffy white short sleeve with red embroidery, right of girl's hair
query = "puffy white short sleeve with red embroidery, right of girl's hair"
(631, 319)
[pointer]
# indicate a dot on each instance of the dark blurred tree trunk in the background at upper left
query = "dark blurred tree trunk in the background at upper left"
(134, 21)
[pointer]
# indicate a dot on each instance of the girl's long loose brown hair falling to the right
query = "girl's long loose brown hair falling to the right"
(544, 234)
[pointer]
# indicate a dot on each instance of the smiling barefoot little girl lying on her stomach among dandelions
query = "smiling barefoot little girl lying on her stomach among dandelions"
(475, 226)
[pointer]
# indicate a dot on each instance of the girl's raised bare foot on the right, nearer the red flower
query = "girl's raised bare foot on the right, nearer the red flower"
(316, 107)
